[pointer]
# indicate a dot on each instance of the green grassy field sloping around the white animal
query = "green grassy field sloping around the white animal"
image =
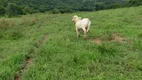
(27, 54)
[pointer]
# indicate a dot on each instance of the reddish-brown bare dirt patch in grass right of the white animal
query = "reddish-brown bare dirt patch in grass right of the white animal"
(115, 37)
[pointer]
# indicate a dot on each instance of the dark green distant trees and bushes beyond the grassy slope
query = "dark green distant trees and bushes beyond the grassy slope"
(20, 7)
